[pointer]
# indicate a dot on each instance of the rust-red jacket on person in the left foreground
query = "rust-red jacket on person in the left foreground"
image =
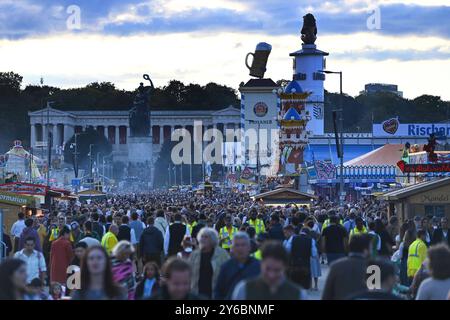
(61, 254)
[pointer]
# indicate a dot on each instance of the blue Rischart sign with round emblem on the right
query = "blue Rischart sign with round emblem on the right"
(393, 128)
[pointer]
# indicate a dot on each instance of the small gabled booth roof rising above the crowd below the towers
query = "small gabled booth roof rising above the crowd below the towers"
(283, 196)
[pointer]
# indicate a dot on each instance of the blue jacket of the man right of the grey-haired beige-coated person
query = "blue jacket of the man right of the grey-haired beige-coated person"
(231, 273)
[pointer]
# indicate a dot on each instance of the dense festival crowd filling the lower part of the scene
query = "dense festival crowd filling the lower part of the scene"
(182, 245)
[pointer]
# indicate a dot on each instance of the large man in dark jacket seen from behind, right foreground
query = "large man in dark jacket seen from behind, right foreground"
(347, 275)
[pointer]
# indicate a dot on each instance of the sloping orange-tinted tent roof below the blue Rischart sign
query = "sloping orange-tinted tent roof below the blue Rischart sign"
(389, 155)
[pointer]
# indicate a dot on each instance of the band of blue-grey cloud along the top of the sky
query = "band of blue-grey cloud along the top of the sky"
(269, 16)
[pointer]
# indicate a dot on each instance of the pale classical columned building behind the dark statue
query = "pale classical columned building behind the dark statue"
(115, 126)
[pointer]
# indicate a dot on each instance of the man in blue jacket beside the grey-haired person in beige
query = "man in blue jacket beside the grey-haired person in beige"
(240, 267)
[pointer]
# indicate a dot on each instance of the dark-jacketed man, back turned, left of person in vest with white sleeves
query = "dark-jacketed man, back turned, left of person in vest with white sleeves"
(151, 243)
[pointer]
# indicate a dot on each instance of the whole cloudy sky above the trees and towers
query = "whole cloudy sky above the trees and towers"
(206, 40)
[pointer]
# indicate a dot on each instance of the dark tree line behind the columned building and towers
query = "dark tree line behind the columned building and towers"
(16, 100)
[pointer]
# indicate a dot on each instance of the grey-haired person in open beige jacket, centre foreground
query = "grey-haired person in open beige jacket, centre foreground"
(206, 262)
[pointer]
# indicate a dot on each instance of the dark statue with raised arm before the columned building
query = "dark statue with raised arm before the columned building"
(139, 114)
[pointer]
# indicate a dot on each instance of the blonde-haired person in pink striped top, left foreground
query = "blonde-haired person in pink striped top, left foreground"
(123, 266)
